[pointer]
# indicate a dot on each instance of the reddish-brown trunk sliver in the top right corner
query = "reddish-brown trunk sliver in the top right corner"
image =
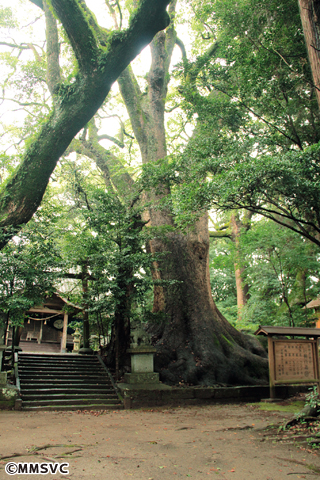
(310, 19)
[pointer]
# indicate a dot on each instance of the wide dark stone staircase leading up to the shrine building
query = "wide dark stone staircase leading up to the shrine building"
(65, 382)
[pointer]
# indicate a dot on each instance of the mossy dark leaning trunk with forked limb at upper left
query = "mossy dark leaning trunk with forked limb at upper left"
(101, 57)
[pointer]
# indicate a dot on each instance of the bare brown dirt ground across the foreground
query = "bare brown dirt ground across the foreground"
(222, 442)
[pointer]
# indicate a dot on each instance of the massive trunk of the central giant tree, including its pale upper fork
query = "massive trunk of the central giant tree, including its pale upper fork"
(195, 344)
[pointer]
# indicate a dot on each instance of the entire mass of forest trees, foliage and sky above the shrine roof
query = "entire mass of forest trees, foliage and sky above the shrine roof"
(113, 183)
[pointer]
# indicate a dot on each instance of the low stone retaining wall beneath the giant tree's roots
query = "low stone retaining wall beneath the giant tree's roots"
(174, 396)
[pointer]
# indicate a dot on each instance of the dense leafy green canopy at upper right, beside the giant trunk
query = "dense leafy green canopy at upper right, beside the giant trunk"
(258, 120)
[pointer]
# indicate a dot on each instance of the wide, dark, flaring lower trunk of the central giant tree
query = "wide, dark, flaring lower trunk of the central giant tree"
(195, 343)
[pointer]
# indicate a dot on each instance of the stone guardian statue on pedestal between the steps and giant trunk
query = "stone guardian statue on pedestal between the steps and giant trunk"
(142, 353)
